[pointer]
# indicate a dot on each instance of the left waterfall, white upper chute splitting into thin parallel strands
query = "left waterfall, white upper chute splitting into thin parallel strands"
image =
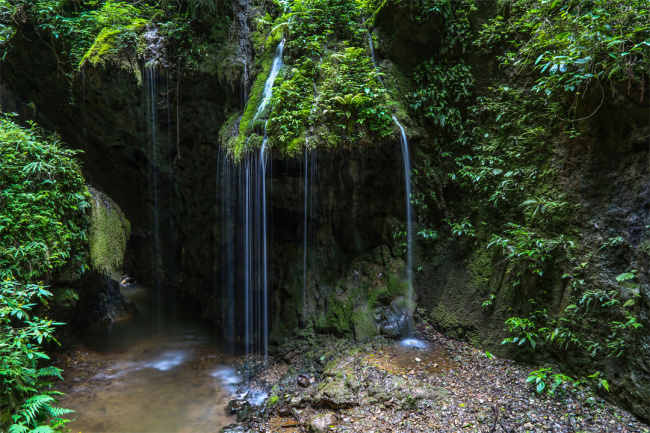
(242, 193)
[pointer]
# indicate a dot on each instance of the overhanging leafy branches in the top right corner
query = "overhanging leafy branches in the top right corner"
(574, 45)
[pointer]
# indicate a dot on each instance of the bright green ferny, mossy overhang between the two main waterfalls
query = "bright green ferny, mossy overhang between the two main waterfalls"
(328, 94)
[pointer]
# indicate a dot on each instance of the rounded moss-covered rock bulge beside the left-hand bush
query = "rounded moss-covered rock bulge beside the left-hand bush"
(108, 234)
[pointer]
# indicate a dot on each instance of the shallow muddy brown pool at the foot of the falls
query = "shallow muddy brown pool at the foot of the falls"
(153, 373)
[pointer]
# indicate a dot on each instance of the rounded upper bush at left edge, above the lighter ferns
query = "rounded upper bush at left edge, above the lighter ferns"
(42, 204)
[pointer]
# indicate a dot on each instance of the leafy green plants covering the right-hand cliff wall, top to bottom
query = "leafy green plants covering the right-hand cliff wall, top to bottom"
(498, 143)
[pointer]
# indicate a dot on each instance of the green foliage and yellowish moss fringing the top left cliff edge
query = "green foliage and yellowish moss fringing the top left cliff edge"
(100, 32)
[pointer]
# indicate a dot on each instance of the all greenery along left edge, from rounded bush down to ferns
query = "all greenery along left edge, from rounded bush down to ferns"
(42, 226)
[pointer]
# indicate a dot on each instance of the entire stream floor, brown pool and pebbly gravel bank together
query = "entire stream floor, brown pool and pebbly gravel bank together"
(320, 384)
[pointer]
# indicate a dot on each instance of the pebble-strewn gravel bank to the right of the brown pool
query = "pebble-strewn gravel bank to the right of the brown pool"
(430, 385)
